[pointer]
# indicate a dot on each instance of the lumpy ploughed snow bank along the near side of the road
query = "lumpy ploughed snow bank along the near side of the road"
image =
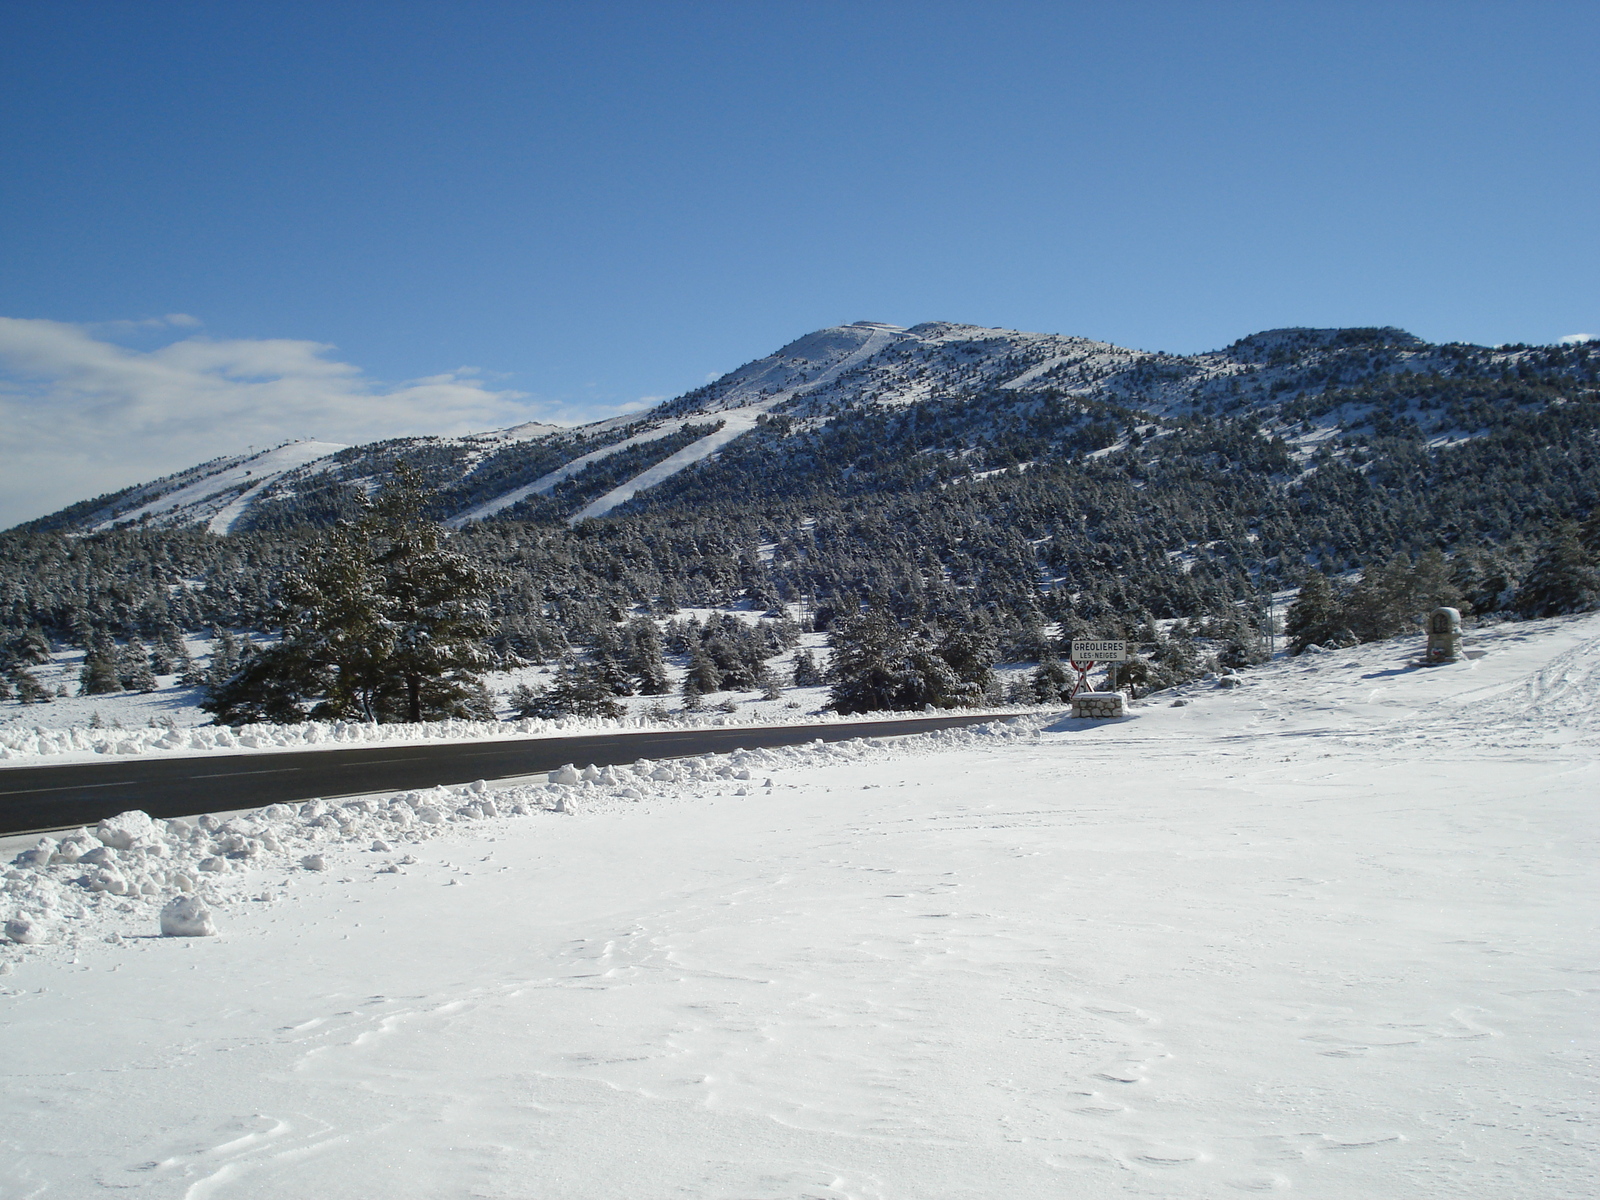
(132, 870)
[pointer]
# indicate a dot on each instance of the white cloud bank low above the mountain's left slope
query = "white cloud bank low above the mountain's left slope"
(82, 415)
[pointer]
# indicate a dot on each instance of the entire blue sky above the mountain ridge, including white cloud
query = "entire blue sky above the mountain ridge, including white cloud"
(431, 217)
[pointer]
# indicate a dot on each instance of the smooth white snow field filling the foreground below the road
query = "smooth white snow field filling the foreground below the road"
(1329, 934)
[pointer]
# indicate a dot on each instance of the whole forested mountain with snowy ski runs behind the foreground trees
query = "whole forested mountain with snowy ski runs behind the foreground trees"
(1007, 482)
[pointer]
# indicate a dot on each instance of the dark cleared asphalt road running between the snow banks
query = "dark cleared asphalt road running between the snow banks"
(81, 794)
